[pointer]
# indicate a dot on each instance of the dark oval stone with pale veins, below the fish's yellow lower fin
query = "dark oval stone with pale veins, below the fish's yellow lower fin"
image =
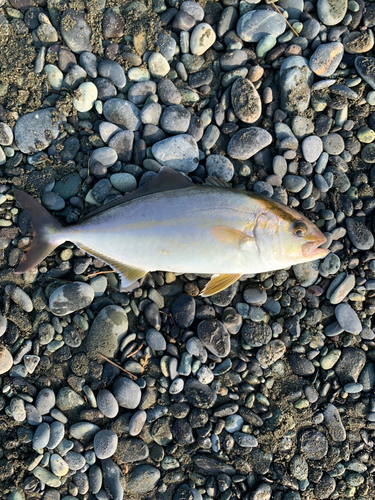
(214, 336)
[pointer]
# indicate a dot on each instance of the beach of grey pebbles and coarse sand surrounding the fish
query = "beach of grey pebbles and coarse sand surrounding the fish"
(264, 391)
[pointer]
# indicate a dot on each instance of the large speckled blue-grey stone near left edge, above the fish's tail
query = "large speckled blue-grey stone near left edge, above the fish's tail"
(35, 131)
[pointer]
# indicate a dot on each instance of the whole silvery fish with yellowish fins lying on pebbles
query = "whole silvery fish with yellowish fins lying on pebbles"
(172, 224)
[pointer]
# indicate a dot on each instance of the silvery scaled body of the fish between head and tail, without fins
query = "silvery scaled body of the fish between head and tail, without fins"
(171, 231)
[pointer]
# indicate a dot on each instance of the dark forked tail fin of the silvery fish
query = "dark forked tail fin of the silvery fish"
(45, 228)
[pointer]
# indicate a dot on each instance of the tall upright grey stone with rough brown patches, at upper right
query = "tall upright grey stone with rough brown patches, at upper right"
(296, 79)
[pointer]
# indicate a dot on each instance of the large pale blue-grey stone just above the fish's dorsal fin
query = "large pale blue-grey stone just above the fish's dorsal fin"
(180, 153)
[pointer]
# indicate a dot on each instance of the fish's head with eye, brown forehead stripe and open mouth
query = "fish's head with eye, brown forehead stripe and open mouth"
(285, 237)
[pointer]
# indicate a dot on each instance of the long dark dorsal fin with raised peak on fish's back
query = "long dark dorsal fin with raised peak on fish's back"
(166, 180)
